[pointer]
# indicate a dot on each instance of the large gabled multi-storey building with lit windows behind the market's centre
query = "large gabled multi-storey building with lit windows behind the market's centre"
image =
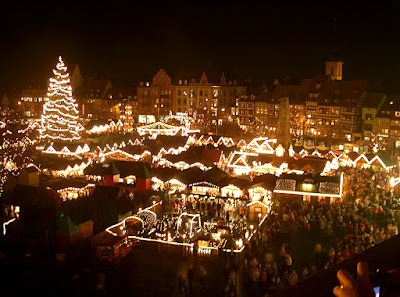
(209, 100)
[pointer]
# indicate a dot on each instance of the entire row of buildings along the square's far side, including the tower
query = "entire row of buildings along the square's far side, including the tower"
(321, 107)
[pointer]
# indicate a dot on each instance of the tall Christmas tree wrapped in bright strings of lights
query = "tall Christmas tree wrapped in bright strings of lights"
(60, 113)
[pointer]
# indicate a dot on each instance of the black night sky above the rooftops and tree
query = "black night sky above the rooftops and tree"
(129, 41)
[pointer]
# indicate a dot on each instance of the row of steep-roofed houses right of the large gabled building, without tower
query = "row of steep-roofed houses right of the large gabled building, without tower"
(322, 108)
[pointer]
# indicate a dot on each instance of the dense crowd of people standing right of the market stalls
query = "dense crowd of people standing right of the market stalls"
(366, 216)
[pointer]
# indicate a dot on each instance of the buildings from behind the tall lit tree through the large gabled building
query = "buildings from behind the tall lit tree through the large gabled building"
(189, 92)
